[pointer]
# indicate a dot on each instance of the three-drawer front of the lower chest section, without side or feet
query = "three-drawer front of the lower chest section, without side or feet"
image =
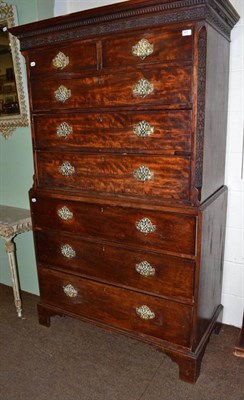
(129, 268)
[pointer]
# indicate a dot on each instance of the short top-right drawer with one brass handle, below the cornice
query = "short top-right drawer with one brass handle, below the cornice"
(148, 47)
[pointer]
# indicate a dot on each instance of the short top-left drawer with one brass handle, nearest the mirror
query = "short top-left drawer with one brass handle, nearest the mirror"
(63, 60)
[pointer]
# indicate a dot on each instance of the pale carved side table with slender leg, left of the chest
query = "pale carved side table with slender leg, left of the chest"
(14, 221)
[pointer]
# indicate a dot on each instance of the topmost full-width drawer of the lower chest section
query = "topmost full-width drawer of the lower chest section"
(159, 231)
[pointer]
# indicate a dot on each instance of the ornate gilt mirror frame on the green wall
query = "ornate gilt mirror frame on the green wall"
(9, 122)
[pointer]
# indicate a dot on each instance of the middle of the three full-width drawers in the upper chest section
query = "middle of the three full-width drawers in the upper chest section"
(165, 131)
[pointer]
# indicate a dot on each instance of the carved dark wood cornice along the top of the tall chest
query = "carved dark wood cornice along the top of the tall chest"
(125, 16)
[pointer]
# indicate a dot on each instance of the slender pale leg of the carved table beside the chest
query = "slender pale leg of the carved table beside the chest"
(10, 249)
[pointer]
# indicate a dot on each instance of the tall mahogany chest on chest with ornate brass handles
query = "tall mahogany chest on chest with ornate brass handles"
(128, 108)
